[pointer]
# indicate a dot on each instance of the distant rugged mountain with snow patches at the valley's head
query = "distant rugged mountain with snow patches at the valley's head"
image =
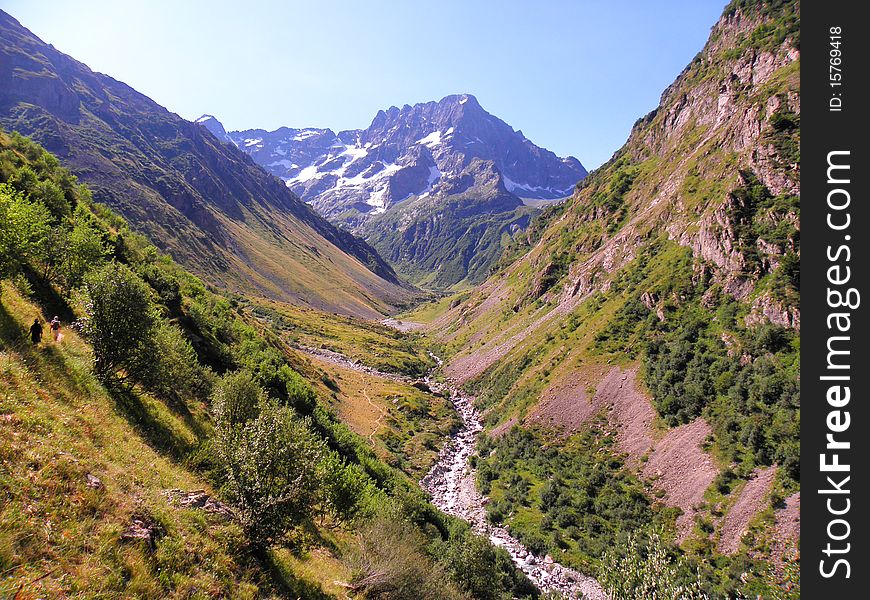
(437, 188)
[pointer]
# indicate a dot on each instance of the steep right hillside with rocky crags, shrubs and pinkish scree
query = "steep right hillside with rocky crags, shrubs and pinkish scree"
(654, 319)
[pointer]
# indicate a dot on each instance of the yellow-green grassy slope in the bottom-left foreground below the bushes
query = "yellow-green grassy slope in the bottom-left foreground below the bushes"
(59, 537)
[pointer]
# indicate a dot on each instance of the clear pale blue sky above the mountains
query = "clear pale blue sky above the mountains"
(573, 75)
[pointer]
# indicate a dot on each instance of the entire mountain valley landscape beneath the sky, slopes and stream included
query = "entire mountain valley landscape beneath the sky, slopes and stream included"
(423, 360)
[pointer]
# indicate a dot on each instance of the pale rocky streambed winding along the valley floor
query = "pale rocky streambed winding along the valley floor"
(451, 483)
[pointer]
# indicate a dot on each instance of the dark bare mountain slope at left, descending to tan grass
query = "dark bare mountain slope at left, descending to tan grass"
(203, 201)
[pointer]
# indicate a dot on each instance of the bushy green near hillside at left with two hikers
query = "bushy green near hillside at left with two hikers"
(170, 442)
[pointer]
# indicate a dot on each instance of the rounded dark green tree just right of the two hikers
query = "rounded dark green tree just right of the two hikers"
(119, 319)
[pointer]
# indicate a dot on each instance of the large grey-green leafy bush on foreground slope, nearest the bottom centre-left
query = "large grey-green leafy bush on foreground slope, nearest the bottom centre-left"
(269, 456)
